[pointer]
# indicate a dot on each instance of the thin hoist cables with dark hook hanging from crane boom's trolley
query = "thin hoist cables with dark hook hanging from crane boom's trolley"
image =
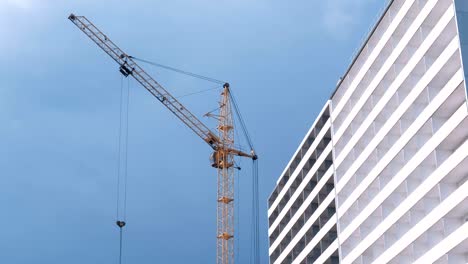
(122, 164)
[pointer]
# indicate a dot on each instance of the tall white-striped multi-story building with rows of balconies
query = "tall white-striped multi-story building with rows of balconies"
(381, 177)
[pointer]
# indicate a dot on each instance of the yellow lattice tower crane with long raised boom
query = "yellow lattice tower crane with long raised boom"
(221, 142)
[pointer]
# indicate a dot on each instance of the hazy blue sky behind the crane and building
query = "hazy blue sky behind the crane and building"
(59, 110)
